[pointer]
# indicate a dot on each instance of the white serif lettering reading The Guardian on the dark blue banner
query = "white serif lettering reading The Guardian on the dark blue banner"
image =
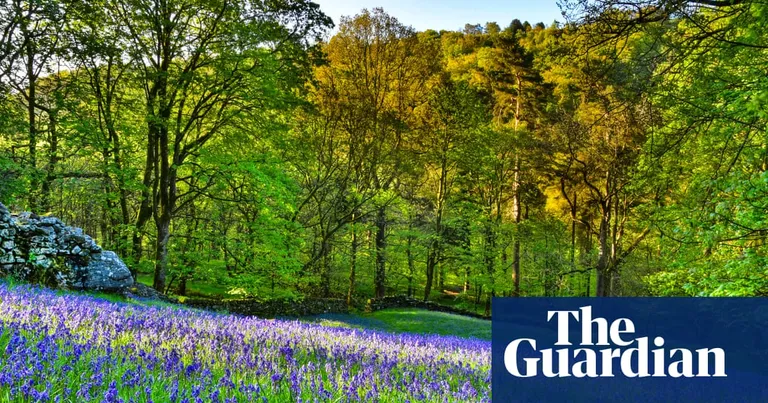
(631, 357)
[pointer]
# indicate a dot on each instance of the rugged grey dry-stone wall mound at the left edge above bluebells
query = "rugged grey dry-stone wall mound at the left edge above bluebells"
(43, 250)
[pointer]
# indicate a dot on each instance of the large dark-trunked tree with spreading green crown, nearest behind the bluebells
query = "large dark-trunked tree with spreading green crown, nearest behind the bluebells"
(201, 66)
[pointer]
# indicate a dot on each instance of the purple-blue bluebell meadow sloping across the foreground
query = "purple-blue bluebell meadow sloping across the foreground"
(60, 347)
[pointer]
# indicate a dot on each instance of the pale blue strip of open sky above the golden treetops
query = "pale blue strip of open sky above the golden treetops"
(449, 14)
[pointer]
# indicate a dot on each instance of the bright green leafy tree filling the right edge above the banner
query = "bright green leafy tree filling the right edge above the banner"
(704, 79)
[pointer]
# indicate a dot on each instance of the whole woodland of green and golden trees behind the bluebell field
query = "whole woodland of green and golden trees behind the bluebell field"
(261, 149)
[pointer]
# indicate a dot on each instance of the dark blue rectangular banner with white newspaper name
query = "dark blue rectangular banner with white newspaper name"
(630, 350)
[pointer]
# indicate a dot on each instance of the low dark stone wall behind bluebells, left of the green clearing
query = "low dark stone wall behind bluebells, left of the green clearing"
(270, 309)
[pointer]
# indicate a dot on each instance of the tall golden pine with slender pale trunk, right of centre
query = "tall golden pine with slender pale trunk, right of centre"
(502, 65)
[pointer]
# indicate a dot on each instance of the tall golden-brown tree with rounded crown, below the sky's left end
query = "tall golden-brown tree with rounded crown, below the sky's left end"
(377, 74)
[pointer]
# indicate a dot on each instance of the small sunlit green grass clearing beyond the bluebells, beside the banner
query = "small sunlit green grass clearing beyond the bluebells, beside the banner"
(410, 320)
